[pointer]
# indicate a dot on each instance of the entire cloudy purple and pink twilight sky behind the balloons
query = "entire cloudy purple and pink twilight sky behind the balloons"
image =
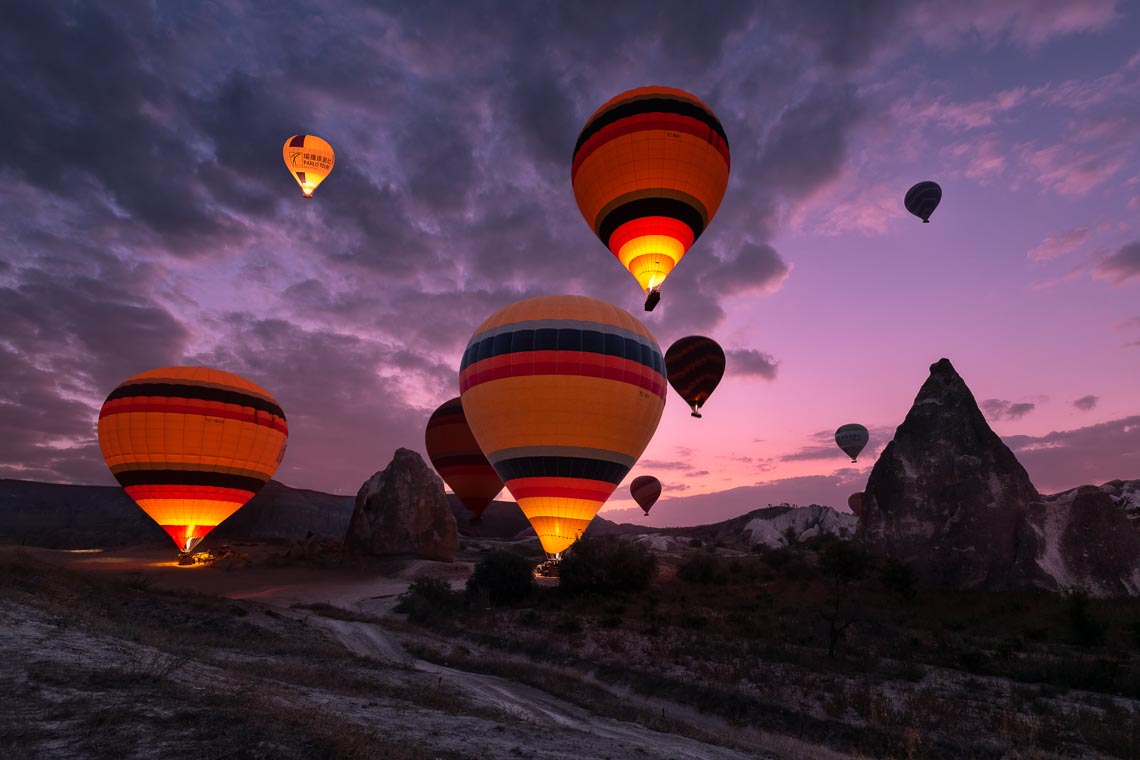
(149, 220)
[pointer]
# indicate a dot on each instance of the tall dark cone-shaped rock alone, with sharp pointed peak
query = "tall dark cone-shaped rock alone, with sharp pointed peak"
(948, 495)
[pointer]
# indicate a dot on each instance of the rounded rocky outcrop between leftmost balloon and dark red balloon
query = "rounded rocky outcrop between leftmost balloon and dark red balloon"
(403, 511)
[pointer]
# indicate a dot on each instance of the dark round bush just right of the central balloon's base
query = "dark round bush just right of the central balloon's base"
(607, 565)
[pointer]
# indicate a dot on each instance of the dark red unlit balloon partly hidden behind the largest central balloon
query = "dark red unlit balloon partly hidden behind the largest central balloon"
(457, 457)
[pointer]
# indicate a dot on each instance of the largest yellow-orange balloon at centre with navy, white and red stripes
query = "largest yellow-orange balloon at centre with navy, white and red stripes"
(564, 394)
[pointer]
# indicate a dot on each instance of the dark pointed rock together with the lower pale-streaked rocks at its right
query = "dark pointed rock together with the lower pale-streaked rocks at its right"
(949, 496)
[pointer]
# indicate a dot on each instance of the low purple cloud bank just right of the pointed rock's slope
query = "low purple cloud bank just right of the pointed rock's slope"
(1092, 455)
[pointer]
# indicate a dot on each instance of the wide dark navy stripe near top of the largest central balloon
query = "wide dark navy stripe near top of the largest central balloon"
(552, 339)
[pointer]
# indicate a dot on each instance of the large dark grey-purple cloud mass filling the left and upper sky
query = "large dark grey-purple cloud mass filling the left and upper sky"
(144, 132)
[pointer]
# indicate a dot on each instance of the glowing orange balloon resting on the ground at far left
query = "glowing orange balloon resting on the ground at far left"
(191, 446)
